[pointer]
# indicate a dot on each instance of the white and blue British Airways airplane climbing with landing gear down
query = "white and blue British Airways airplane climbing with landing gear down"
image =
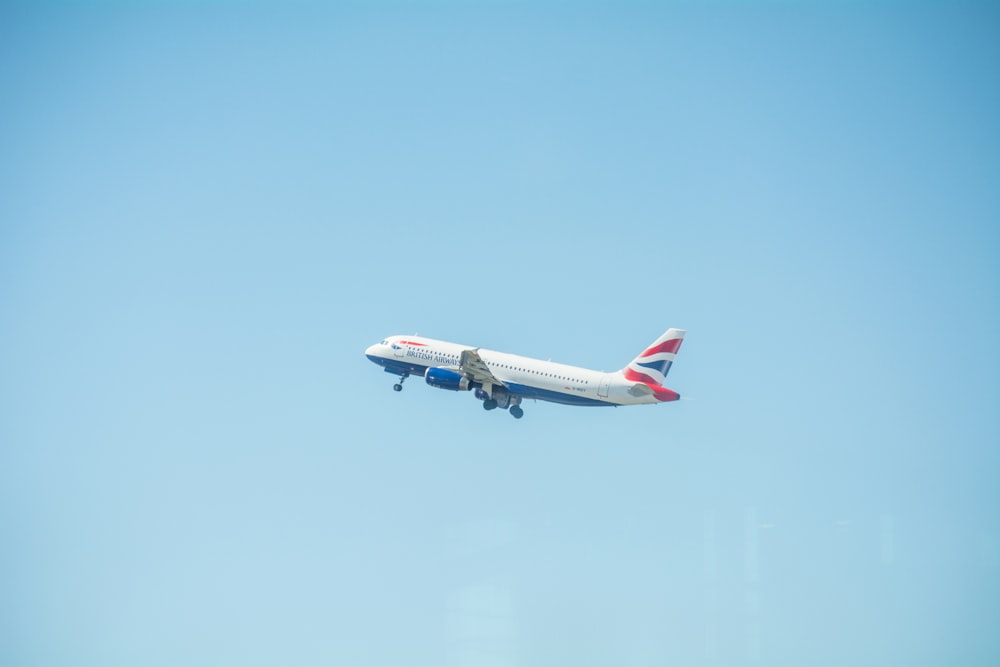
(502, 380)
